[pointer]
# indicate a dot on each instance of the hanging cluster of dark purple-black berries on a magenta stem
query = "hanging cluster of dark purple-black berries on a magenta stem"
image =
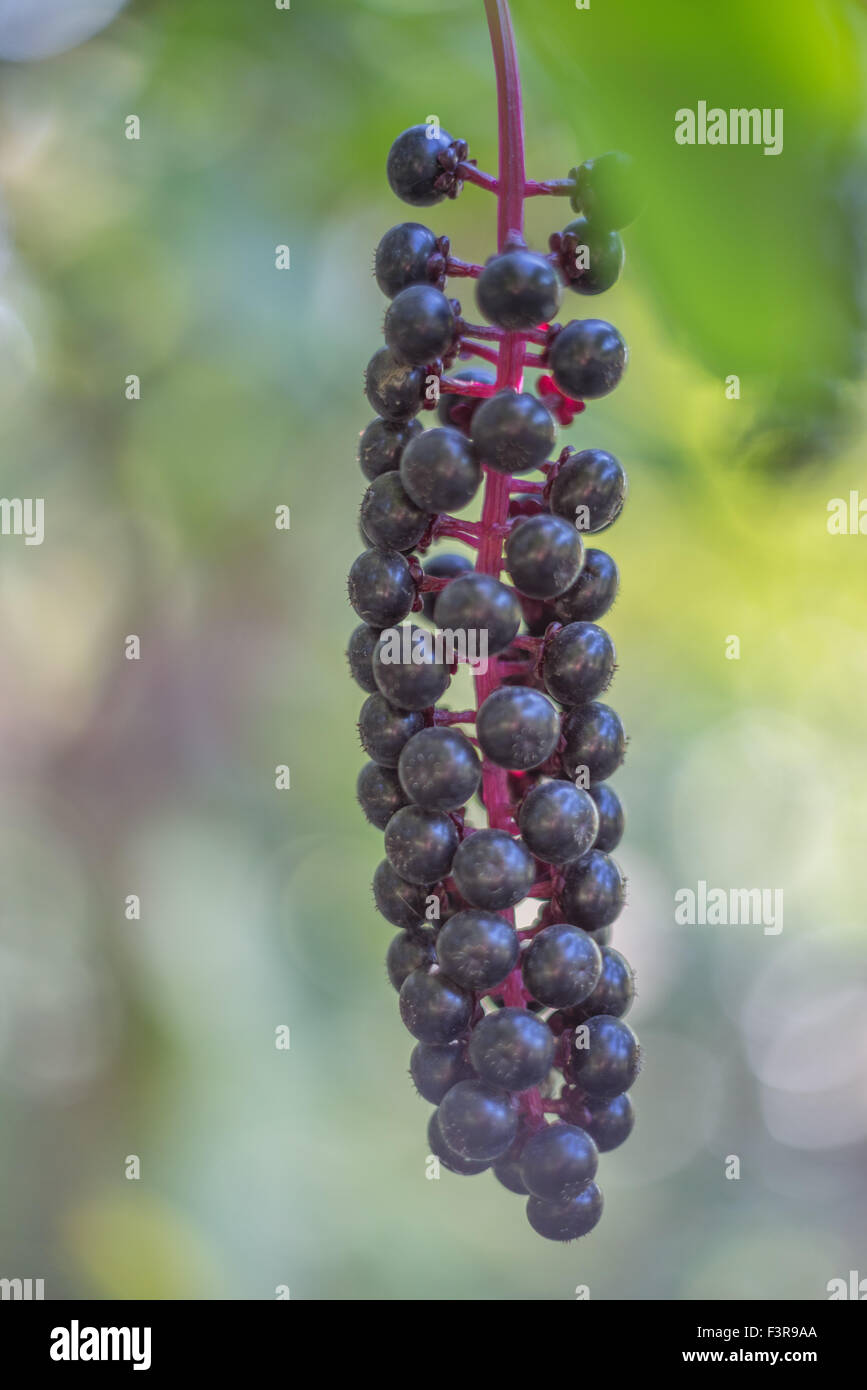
(522, 1043)
